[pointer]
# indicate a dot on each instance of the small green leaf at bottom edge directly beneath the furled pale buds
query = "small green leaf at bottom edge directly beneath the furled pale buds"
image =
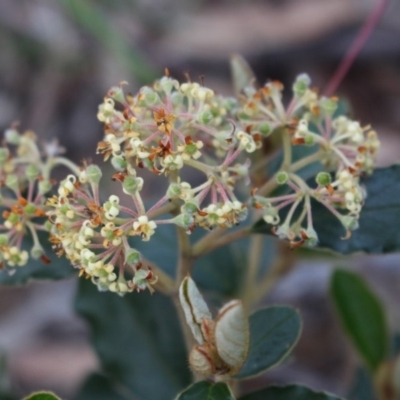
(206, 391)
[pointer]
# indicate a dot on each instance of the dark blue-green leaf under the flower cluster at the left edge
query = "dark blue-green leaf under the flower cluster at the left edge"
(58, 268)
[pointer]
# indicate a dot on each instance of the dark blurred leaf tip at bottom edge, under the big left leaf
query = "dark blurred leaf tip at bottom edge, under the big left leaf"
(100, 387)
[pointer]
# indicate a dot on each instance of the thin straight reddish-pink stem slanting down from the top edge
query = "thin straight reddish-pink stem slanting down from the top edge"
(356, 47)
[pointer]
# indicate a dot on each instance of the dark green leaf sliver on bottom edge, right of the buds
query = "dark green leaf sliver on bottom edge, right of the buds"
(290, 392)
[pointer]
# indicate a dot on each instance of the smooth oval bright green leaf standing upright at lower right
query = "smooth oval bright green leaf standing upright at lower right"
(362, 316)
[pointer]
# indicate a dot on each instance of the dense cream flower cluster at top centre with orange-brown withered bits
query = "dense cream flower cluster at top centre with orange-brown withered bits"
(169, 127)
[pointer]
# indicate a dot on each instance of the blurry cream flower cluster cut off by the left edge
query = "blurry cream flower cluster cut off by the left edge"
(25, 182)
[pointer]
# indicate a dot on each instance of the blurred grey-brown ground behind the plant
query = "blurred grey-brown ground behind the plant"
(59, 57)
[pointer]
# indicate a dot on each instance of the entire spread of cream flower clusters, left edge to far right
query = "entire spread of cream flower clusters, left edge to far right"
(204, 144)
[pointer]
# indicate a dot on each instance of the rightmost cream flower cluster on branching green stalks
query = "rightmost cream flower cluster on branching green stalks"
(344, 149)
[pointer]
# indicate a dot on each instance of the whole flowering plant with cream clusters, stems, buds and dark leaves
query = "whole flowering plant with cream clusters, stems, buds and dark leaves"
(229, 168)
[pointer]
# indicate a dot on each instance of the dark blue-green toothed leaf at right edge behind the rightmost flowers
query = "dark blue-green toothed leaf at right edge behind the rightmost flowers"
(378, 231)
